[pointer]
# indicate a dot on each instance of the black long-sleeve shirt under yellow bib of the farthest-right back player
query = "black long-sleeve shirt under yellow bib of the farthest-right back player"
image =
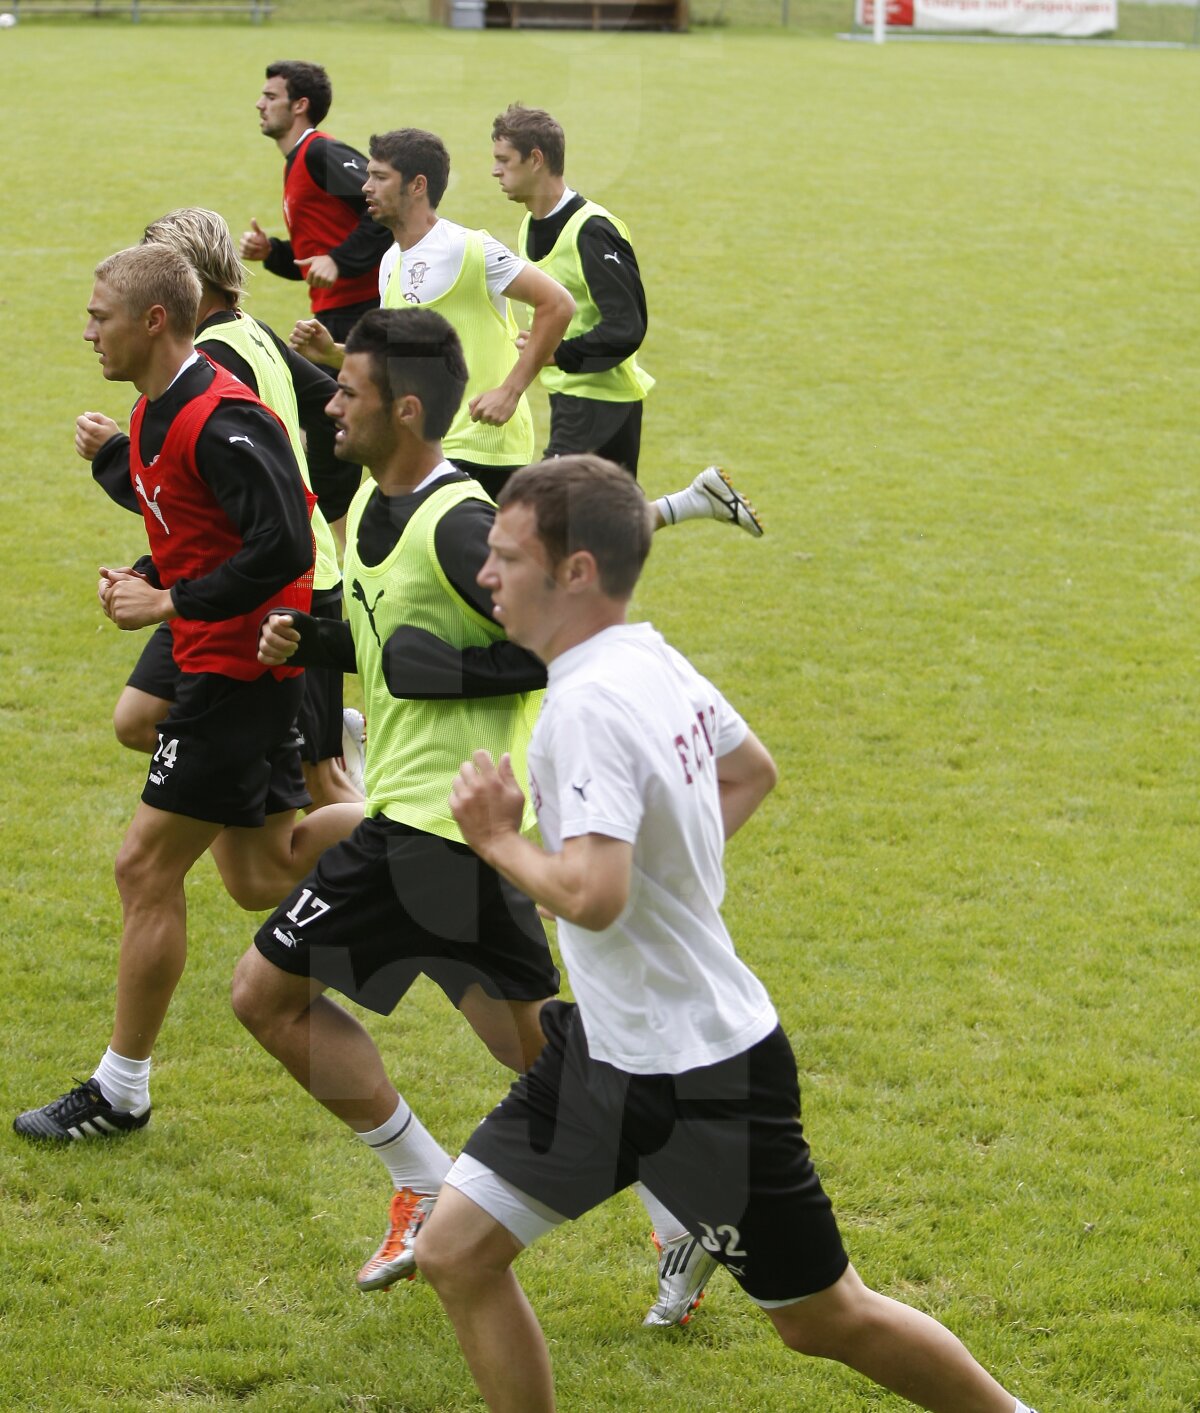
(616, 282)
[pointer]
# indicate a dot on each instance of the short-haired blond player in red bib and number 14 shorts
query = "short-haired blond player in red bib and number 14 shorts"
(227, 516)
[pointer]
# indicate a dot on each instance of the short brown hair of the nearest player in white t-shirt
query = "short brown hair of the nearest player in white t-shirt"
(587, 504)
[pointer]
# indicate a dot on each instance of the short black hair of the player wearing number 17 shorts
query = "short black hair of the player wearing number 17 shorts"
(415, 353)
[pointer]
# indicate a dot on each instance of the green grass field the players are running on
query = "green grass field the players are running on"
(938, 309)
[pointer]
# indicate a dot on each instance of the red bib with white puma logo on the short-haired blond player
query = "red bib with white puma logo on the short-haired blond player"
(192, 536)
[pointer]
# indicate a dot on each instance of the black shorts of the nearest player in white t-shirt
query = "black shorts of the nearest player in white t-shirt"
(720, 1147)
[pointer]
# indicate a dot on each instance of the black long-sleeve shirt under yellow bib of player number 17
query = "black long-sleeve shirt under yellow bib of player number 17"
(419, 665)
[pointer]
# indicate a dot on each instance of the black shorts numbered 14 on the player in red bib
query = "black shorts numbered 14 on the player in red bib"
(228, 752)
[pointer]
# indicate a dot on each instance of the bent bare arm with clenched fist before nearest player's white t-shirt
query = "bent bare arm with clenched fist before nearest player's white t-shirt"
(587, 884)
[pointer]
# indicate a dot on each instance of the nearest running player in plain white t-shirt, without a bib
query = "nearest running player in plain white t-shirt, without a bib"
(672, 1066)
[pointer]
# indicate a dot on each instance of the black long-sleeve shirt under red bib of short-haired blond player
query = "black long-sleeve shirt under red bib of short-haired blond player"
(247, 461)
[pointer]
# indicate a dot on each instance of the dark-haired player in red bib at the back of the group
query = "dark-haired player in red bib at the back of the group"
(333, 241)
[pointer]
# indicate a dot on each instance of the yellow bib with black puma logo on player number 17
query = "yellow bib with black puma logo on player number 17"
(415, 748)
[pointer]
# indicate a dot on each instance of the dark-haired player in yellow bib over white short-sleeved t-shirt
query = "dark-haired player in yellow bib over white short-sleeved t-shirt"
(470, 279)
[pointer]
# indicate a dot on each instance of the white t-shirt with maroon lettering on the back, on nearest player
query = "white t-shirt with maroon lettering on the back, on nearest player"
(627, 747)
